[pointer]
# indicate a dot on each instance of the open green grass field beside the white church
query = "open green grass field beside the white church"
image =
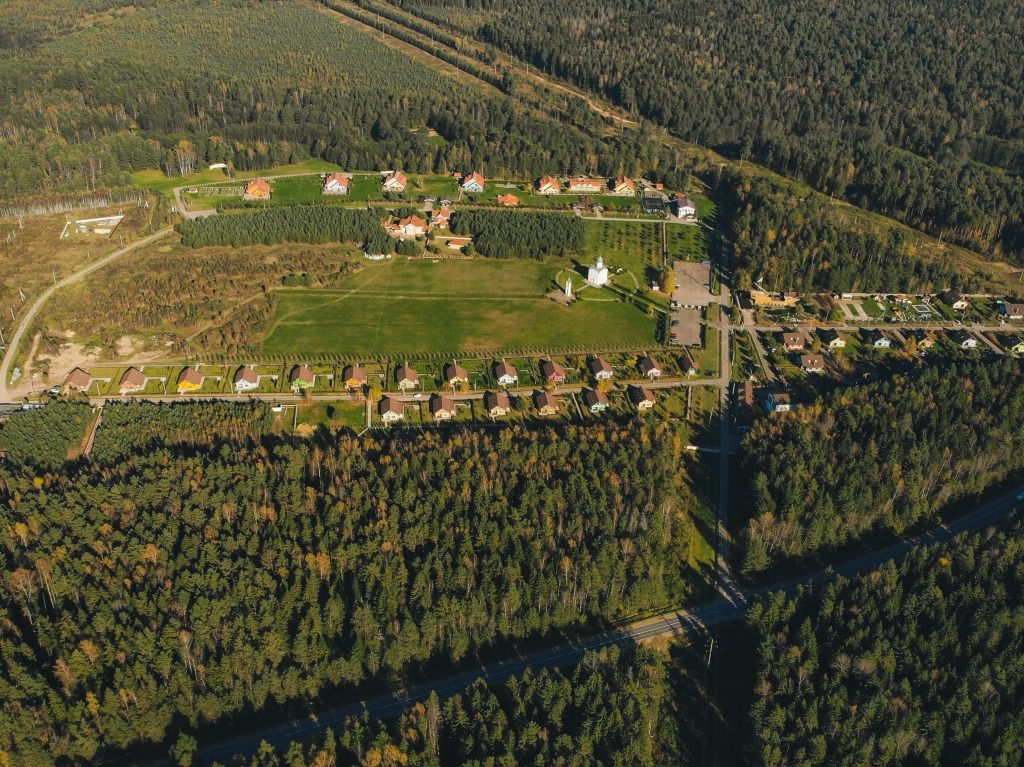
(416, 307)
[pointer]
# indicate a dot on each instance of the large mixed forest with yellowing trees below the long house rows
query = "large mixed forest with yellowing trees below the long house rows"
(197, 566)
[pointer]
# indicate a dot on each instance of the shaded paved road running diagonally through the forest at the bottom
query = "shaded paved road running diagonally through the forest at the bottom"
(723, 610)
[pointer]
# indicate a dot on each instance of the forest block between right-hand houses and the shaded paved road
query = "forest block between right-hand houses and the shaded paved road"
(884, 457)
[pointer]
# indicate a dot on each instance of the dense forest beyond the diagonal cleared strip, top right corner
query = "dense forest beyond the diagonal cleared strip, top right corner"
(912, 110)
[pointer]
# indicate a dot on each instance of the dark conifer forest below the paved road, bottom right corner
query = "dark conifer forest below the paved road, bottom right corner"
(914, 664)
